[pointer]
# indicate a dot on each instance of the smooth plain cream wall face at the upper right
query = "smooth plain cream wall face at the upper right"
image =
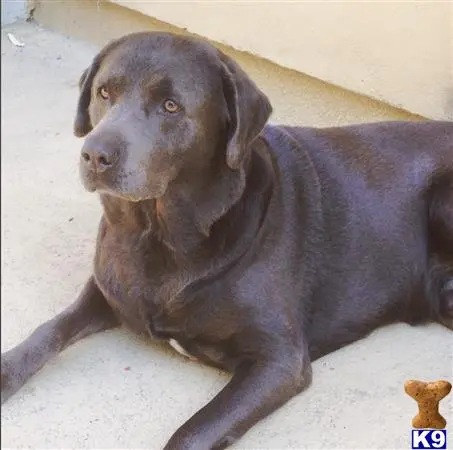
(400, 52)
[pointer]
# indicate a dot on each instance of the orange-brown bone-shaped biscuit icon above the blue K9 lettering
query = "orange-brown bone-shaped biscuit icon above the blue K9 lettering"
(428, 396)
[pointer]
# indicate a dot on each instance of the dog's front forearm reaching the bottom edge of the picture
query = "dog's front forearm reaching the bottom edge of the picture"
(256, 390)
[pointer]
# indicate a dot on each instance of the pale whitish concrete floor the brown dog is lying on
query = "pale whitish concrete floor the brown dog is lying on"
(112, 390)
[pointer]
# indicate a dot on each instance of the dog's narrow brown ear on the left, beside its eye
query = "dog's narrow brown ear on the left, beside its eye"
(82, 122)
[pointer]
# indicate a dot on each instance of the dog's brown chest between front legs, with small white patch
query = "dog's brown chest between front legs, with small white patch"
(155, 298)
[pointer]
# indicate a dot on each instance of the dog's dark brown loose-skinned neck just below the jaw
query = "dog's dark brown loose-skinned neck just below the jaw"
(194, 208)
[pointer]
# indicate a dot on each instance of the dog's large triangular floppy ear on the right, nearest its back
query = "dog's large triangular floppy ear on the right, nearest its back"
(248, 108)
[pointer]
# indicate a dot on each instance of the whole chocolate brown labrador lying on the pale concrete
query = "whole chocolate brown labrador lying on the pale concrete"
(253, 248)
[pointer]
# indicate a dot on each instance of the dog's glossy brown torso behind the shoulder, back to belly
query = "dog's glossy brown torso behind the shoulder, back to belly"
(388, 226)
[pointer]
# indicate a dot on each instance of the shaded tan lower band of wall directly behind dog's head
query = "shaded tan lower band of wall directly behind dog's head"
(297, 98)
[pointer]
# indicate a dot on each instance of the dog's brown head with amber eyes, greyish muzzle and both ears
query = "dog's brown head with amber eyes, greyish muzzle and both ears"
(156, 106)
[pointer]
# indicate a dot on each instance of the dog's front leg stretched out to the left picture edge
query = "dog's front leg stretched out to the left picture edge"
(89, 314)
